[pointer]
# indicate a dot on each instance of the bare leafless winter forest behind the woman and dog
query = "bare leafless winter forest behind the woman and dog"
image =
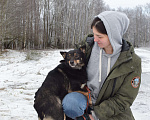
(45, 24)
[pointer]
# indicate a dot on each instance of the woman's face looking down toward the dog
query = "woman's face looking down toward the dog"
(102, 40)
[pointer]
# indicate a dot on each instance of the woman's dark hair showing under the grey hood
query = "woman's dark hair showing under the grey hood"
(98, 24)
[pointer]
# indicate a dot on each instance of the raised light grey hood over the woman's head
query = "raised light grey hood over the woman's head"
(116, 24)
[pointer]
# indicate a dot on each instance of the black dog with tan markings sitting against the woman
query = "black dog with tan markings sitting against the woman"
(68, 76)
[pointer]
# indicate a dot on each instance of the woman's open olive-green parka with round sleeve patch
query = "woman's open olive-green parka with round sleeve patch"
(120, 87)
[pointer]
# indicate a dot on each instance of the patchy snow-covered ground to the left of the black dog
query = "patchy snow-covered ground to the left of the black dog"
(20, 77)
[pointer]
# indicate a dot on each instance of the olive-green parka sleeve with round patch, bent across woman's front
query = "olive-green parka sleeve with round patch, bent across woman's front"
(116, 107)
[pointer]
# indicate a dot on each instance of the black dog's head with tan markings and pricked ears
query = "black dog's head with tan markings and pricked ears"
(74, 58)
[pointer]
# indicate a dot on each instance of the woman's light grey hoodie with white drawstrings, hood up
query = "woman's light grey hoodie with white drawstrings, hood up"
(100, 63)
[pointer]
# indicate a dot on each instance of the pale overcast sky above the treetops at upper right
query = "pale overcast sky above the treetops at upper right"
(125, 3)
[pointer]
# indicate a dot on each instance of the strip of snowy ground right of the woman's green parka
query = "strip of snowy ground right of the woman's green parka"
(141, 105)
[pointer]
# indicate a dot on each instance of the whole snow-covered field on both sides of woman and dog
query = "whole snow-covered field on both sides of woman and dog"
(22, 73)
